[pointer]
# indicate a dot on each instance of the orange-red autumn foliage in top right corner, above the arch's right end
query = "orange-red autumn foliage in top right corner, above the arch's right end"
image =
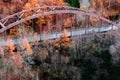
(107, 7)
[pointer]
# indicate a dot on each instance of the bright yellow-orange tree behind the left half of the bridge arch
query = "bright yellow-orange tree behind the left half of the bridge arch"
(34, 4)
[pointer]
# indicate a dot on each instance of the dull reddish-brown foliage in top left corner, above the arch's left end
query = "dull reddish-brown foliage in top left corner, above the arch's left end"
(8, 7)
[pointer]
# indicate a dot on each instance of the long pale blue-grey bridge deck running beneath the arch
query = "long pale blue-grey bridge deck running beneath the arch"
(54, 35)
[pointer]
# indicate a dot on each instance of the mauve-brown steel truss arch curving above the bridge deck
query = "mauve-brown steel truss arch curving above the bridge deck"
(6, 22)
